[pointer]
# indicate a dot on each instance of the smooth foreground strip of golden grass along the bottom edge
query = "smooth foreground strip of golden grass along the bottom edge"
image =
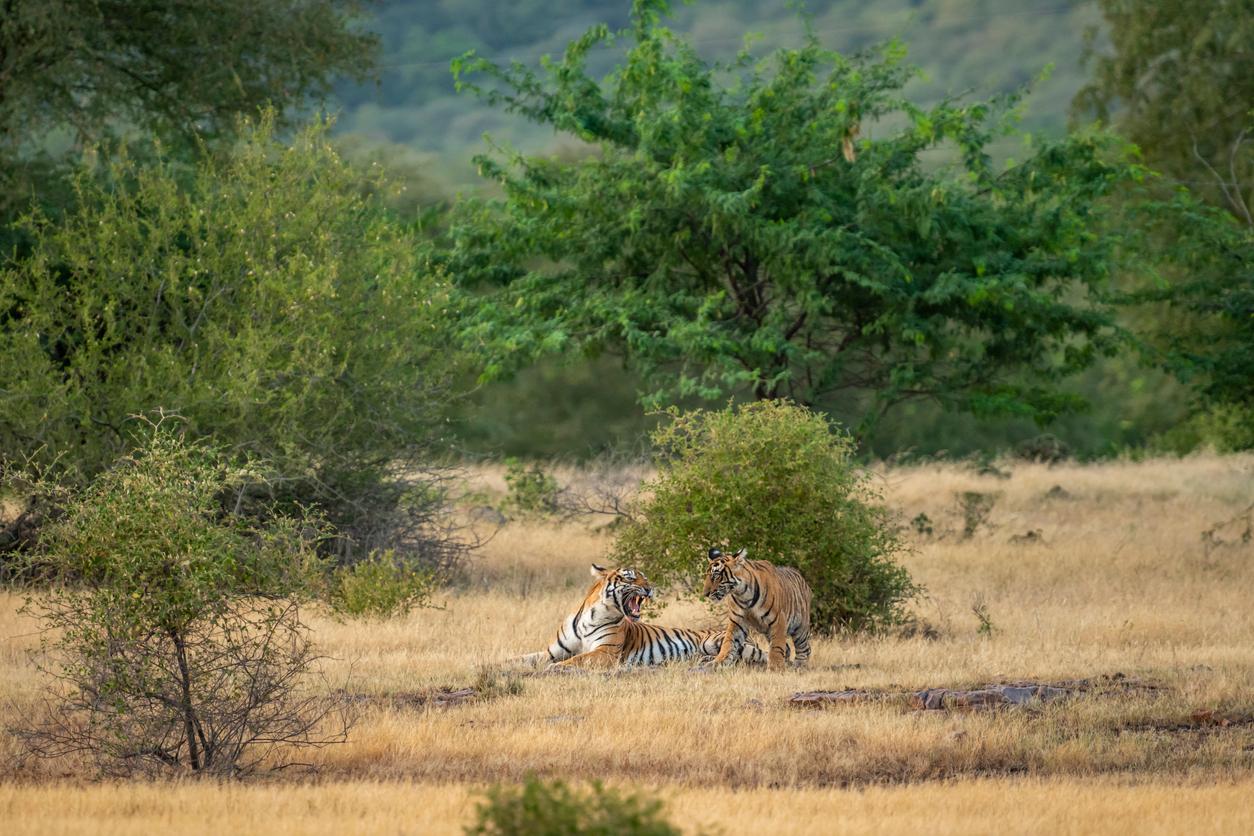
(1003, 807)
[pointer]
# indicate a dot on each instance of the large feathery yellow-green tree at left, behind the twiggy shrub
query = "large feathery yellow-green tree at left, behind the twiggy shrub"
(264, 296)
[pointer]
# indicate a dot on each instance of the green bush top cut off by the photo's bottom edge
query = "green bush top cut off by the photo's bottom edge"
(552, 809)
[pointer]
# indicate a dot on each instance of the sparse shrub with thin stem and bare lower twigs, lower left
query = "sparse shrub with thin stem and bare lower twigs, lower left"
(174, 639)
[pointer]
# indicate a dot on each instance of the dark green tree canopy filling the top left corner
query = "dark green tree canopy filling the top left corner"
(75, 73)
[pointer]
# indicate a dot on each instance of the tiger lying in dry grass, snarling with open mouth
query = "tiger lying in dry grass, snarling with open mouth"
(606, 631)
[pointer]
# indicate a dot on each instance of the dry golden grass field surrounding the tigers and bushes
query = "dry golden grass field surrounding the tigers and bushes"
(1119, 581)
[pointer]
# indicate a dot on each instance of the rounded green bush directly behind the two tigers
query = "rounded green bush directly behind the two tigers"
(774, 478)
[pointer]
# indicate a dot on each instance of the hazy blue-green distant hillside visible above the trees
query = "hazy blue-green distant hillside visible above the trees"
(983, 47)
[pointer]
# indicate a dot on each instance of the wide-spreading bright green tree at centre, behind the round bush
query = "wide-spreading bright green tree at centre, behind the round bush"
(733, 234)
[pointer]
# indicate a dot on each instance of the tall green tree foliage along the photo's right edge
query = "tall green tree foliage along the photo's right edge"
(1177, 81)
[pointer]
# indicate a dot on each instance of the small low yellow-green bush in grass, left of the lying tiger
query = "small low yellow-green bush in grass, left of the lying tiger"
(382, 586)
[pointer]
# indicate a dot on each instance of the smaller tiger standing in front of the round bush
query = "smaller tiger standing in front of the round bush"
(772, 600)
